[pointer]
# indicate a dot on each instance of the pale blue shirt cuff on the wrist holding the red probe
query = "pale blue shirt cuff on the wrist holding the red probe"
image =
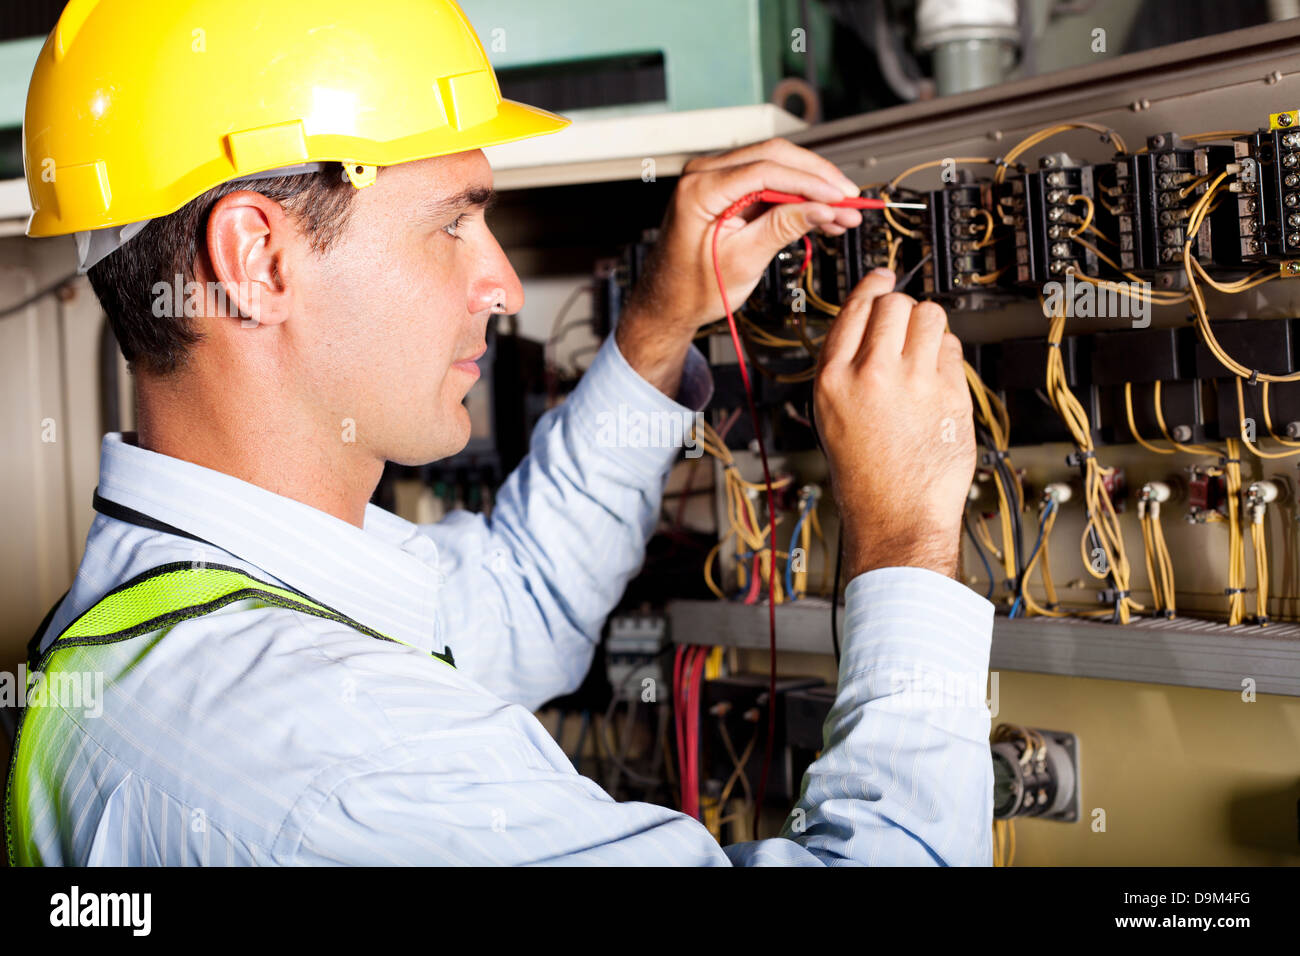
(625, 412)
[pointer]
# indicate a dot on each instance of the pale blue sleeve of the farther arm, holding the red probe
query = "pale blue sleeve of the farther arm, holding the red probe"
(534, 583)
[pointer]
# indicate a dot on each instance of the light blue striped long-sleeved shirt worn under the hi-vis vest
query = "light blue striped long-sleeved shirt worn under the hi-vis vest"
(263, 736)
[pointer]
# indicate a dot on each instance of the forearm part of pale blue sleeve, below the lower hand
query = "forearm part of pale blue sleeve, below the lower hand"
(905, 777)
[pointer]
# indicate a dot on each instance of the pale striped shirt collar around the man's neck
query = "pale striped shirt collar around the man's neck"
(385, 576)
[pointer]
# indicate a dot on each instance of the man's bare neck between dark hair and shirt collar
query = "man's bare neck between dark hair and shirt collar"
(258, 440)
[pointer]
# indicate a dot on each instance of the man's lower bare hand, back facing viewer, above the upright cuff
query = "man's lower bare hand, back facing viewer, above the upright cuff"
(895, 417)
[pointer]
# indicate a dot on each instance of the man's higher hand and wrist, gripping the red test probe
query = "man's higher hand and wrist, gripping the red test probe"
(678, 295)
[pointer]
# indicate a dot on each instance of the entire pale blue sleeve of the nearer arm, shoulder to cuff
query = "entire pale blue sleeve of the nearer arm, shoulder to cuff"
(905, 777)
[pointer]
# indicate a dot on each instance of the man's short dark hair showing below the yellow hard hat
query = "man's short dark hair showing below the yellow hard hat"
(170, 246)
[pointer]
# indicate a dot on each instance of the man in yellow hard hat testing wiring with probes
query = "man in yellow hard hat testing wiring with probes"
(271, 642)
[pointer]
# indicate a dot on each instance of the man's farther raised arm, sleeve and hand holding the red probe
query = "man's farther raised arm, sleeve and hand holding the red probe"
(571, 525)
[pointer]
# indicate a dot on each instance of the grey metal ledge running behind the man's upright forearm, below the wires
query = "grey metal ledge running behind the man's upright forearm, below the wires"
(1184, 652)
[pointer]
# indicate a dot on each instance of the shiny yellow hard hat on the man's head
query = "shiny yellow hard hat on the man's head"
(137, 107)
